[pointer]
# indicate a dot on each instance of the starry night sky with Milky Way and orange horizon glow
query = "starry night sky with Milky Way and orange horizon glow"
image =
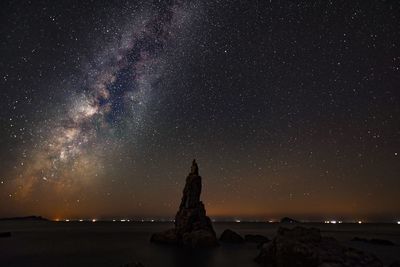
(290, 108)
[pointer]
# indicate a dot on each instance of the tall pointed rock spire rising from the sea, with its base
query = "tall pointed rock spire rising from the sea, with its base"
(192, 227)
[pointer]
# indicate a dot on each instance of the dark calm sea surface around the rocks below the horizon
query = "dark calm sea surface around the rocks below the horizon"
(41, 243)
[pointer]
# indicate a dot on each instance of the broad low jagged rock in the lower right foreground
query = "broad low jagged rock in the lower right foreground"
(306, 247)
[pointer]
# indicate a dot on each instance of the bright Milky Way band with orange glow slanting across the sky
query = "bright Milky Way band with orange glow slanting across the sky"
(113, 98)
